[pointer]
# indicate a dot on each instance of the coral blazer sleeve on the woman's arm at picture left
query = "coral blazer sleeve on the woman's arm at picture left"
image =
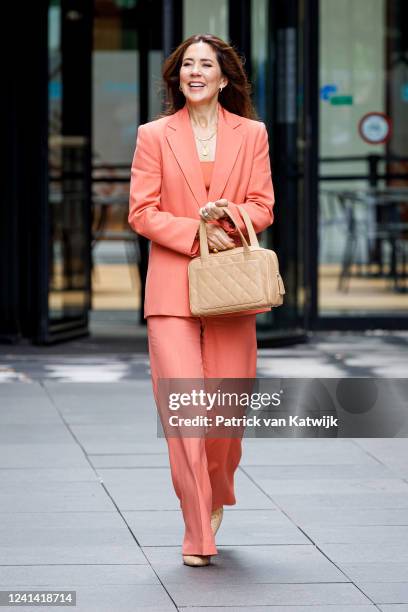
(145, 216)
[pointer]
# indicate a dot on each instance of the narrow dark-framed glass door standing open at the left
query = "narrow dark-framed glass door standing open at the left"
(65, 278)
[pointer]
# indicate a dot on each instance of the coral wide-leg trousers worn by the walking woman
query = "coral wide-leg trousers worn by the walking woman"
(202, 469)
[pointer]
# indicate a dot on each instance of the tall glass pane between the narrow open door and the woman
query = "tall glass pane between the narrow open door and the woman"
(116, 115)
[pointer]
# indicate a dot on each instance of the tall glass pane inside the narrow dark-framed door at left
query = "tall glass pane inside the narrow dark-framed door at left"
(68, 273)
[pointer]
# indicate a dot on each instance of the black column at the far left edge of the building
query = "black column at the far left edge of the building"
(24, 184)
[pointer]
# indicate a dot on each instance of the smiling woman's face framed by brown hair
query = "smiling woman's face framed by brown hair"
(200, 74)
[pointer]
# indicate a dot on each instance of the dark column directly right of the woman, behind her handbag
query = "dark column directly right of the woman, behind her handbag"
(287, 120)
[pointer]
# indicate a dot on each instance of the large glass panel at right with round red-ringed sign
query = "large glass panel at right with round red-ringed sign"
(362, 216)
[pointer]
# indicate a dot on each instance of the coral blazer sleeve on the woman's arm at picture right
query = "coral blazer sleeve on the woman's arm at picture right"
(260, 196)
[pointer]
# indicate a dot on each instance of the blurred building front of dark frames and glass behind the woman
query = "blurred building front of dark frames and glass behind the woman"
(330, 80)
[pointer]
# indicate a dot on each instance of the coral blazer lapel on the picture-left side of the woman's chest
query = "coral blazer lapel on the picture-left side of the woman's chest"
(180, 137)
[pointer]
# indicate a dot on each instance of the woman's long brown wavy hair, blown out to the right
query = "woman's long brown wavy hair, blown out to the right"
(235, 97)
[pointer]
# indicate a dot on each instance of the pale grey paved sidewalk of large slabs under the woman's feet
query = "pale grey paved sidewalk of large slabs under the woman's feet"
(87, 502)
